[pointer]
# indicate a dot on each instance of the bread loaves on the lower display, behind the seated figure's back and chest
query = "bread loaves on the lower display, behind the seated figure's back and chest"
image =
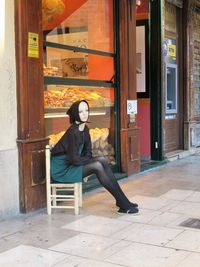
(100, 143)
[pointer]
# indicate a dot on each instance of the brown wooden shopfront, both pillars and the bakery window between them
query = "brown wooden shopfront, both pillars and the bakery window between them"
(66, 51)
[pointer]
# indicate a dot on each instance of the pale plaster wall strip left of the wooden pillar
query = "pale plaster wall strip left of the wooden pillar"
(8, 114)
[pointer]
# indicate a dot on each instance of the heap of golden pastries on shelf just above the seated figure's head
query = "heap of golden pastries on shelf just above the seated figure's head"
(65, 96)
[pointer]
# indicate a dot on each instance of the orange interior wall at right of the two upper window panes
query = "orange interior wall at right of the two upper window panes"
(100, 37)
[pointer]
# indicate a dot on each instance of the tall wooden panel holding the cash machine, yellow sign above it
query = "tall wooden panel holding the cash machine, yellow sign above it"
(173, 121)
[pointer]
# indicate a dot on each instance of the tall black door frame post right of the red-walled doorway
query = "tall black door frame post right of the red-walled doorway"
(156, 81)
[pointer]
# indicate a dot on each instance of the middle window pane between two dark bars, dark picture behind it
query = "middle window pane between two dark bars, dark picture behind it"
(69, 64)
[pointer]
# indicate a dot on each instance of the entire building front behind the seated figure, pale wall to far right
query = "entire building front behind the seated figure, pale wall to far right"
(136, 62)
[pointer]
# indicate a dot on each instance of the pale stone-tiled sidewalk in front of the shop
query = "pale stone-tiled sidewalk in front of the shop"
(165, 234)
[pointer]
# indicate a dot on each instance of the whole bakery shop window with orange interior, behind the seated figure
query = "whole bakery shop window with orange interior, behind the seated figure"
(79, 64)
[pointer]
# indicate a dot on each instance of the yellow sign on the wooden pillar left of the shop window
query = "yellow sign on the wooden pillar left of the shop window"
(33, 45)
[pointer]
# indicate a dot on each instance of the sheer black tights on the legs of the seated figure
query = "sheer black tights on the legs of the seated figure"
(100, 167)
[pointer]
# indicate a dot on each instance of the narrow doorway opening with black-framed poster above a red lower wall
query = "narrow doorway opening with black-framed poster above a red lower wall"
(143, 96)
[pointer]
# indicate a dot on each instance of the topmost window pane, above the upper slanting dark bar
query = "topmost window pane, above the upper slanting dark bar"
(80, 23)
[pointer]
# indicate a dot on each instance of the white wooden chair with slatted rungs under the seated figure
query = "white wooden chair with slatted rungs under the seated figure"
(61, 195)
